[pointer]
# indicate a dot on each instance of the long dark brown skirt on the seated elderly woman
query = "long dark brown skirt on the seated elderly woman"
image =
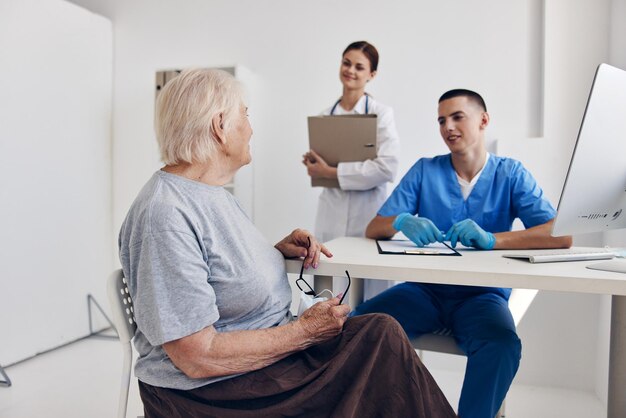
(369, 370)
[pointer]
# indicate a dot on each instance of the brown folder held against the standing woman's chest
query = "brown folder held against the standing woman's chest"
(341, 139)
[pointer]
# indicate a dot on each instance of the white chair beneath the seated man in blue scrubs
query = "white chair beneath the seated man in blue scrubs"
(443, 341)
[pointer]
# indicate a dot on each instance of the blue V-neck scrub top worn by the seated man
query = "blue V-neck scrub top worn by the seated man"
(504, 191)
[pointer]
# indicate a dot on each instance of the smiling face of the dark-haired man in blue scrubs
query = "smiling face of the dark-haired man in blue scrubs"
(462, 124)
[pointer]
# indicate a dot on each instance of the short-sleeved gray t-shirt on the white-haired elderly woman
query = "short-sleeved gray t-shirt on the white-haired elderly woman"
(194, 259)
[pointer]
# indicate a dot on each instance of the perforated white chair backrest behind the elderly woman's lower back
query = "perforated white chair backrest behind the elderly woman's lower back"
(122, 306)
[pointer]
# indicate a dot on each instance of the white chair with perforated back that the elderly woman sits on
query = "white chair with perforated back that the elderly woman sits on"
(124, 321)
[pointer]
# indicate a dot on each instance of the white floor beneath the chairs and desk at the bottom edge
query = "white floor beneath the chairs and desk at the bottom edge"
(82, 380)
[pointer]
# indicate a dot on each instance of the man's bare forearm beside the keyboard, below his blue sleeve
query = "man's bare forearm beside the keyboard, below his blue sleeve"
(535, 237)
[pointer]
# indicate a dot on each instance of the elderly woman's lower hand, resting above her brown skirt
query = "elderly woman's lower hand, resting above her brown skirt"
(323, 320)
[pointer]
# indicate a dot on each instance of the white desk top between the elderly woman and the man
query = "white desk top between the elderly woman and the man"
(479, 268)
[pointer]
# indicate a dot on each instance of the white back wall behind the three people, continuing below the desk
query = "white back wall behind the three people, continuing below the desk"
(511, 52)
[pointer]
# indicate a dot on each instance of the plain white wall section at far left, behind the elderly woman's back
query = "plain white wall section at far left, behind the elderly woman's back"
(55, 167)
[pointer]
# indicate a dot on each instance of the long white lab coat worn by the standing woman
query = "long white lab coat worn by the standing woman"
(363, 185)
